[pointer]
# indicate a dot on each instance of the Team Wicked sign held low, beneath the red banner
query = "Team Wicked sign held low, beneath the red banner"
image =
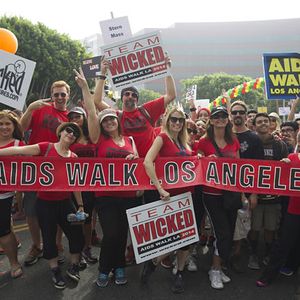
(160, 227)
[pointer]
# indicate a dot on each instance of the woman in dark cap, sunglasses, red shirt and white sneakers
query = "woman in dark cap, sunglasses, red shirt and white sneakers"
(219, 133)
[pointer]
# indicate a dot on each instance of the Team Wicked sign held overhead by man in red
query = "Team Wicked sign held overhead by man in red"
(136, 61)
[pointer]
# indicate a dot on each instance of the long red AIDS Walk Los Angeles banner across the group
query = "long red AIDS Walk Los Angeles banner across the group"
(90, 174)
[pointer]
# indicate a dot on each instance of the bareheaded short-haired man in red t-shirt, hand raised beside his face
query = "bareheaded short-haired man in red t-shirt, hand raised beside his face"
(42, 118)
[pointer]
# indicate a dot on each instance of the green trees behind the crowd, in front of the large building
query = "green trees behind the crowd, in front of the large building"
(210, 87)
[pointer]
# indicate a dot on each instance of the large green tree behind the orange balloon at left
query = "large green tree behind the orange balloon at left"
(55, 54)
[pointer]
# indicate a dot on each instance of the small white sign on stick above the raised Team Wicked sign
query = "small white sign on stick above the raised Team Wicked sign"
(115, 30)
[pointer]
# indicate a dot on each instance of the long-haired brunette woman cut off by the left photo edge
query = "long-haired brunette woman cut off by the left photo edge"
(10, 135)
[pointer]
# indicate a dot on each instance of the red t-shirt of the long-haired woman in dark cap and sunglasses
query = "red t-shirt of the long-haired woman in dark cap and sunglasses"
(230, 150)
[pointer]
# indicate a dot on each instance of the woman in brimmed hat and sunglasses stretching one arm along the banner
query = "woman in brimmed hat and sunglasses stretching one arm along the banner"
(53, 207)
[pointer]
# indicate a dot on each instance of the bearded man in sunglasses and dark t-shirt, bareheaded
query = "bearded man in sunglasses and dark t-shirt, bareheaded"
(251, 147)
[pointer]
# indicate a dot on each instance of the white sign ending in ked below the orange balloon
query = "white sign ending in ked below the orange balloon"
(15, 77)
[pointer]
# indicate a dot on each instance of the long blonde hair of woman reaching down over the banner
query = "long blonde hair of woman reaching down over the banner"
(182, 135)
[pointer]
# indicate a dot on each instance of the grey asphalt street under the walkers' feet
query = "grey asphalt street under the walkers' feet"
(36, 282)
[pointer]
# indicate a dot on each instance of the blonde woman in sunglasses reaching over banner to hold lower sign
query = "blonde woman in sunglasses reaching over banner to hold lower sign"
(171, 142)
